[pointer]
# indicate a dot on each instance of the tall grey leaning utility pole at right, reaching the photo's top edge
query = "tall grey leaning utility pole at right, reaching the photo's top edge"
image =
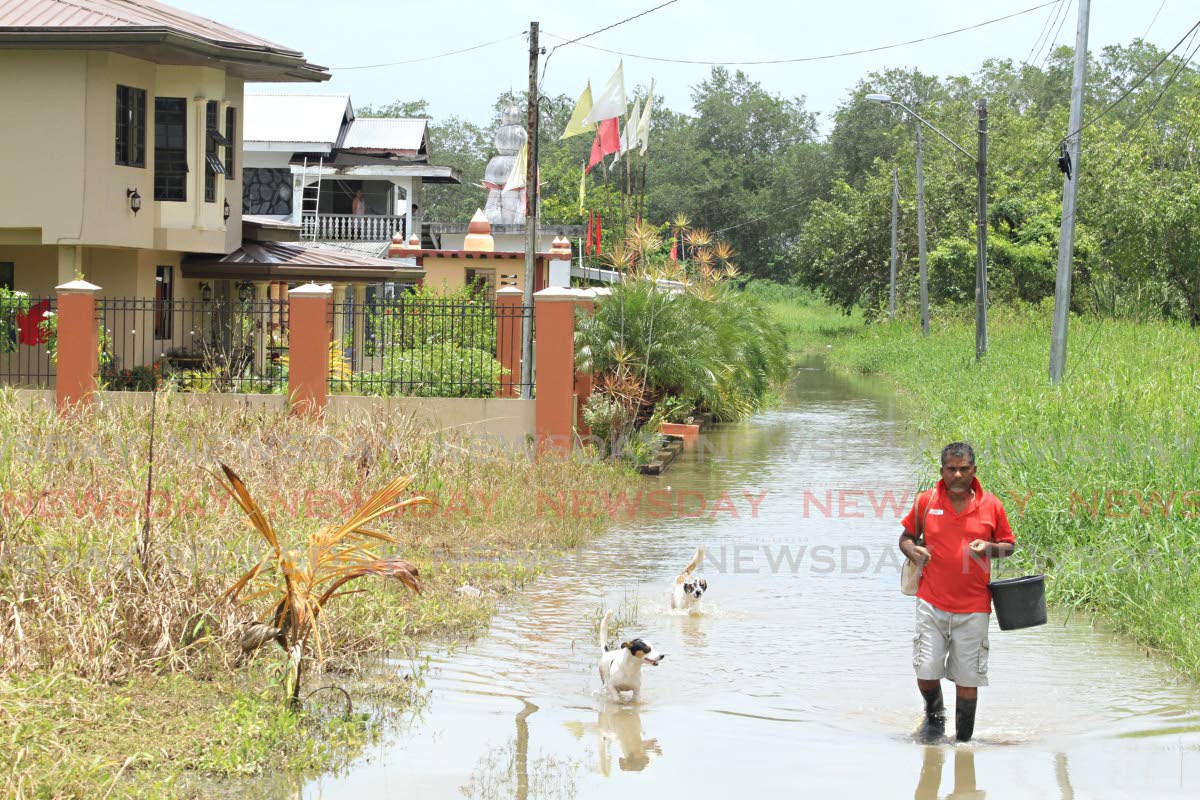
(1070, 200)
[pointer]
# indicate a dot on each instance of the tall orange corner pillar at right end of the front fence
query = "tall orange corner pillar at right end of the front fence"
(555, 317)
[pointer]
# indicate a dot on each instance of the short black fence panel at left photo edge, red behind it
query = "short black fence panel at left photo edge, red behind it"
(27, 341)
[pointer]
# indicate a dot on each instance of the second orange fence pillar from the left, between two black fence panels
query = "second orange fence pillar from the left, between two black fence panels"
(310, 327)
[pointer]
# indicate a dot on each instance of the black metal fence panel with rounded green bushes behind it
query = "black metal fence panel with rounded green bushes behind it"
(422, 346)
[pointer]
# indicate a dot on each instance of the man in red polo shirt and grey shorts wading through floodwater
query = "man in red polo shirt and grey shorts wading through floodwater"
(964, 528)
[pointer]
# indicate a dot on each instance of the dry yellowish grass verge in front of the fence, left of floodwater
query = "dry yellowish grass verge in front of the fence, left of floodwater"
(119, 678)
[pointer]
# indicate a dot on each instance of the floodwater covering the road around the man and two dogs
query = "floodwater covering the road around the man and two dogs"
(797, 676)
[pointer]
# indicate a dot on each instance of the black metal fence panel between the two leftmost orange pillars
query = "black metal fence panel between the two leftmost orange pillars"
(219, 346)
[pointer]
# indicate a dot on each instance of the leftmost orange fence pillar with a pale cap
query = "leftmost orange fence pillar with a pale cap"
(79, 359)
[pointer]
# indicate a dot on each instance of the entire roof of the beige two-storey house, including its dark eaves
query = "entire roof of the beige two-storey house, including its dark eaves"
(128, 22)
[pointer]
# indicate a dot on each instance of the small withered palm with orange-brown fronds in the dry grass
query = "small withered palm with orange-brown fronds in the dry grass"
(299, 591)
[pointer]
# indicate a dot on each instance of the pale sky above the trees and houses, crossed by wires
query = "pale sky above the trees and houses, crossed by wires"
(355, 33)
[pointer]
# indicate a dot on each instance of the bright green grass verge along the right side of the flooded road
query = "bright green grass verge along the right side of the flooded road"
(1101, 474)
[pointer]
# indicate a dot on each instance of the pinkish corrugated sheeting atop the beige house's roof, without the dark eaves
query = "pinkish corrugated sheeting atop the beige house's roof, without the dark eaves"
(112, 15)
